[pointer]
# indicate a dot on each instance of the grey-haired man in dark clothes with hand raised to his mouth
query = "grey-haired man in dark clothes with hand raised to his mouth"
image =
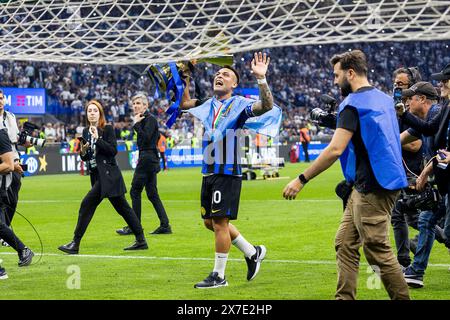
(148, 165)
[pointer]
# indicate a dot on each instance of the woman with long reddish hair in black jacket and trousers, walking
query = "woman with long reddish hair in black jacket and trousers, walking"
(98, 150)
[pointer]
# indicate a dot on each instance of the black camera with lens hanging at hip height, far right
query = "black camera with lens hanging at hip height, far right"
(425, 200)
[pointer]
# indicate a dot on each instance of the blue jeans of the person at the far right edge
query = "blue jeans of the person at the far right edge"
(426, 224)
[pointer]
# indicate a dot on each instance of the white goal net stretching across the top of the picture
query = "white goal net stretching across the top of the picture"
(146, 31)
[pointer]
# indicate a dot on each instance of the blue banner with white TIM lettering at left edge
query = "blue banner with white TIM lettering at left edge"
(24, 100)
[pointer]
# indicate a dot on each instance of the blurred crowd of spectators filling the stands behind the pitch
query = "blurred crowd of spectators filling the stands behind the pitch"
(297, 76)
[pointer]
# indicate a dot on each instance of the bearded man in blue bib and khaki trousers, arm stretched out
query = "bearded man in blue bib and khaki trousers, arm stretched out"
(366, 128)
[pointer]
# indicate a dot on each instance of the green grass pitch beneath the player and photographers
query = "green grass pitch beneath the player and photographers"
(299, 236)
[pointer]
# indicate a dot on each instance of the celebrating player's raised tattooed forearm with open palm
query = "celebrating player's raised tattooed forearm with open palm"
(260, 64)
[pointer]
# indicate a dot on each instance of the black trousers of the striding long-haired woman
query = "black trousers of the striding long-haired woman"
(90, 204)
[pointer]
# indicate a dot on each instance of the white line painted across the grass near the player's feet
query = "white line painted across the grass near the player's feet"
(95, 256)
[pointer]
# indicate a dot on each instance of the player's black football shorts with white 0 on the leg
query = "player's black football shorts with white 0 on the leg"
(220, 196)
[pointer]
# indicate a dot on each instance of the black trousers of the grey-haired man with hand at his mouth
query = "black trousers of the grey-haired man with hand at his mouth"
(145, 177)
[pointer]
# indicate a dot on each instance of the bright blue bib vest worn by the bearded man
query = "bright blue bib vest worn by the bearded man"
(381, 137)
